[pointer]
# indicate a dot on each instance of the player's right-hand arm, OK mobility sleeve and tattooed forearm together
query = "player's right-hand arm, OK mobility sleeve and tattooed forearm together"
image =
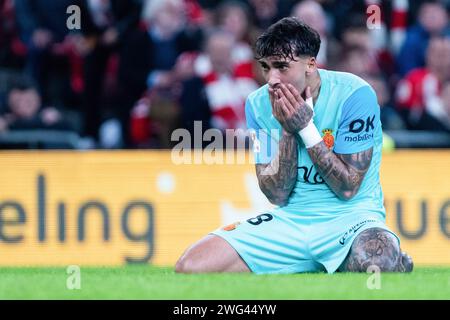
(344, 168)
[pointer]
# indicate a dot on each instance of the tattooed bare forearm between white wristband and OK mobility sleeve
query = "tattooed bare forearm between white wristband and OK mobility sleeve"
(342, 172)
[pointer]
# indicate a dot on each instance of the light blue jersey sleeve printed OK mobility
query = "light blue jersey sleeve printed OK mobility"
(360, 120)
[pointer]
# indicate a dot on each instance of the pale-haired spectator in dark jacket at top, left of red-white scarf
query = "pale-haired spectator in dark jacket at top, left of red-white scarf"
(148, 64)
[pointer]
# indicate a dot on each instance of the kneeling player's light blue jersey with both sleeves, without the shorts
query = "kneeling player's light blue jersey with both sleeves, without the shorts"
(347, 115)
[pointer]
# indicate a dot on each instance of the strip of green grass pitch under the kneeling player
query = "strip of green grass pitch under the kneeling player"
(148, 282)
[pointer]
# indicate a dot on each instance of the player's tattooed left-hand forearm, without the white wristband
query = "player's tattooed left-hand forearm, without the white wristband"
(277, 179)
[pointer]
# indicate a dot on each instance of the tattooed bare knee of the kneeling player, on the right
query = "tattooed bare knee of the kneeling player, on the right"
(375, 247)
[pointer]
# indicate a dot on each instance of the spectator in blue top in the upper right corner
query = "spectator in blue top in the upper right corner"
(432, 21)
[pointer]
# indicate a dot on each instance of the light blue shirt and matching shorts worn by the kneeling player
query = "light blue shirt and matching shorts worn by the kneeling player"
(315, 230)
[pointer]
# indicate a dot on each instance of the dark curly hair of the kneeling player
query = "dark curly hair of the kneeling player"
(288, 38)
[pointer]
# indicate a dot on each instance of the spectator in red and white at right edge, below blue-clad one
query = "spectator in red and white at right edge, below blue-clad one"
(417, 94)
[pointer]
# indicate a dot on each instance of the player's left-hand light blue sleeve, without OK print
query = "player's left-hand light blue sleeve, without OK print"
(263, 144)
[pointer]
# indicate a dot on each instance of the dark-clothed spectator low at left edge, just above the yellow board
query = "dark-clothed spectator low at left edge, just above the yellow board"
(26, 112)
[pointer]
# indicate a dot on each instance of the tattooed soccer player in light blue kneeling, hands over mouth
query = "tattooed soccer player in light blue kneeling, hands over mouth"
(320, 139)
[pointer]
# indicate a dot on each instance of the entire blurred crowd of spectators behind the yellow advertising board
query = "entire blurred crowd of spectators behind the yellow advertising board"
(138, 69)
